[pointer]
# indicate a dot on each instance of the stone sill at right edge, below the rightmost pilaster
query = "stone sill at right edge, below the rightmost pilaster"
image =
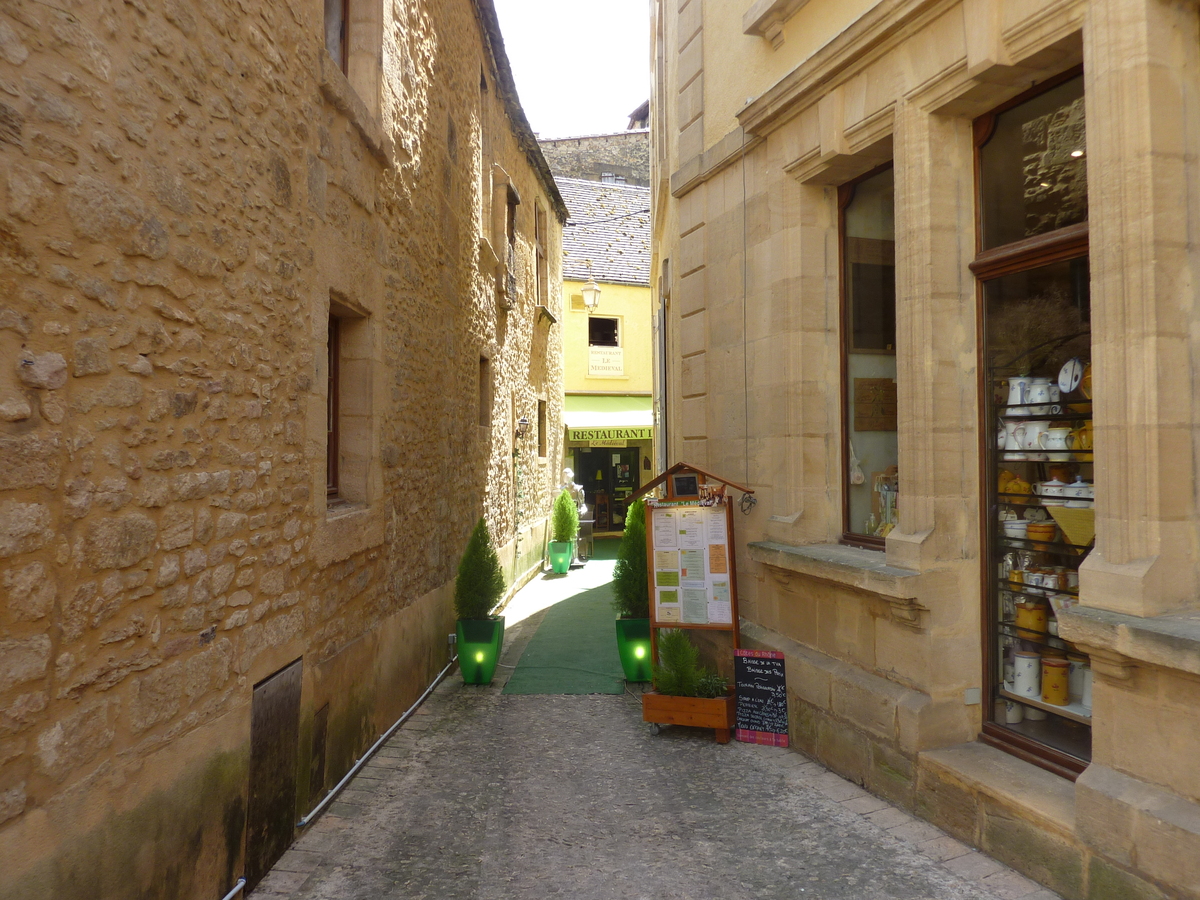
(1124, 641)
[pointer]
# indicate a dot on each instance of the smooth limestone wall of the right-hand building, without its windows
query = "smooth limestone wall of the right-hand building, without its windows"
(884, 650)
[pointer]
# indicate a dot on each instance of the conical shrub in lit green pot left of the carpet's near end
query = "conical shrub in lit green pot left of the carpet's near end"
(477, 591)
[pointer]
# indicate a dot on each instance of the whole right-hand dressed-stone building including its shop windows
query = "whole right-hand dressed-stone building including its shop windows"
(873, 220)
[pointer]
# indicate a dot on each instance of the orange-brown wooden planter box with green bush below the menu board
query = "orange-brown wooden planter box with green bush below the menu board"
(686, 693)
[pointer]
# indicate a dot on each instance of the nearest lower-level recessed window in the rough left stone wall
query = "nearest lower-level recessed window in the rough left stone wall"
(349, 405)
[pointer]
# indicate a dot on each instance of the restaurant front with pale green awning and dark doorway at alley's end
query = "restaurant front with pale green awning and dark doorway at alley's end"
(610, 446)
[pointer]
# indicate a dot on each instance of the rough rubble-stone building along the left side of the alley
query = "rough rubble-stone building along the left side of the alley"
(209, 209)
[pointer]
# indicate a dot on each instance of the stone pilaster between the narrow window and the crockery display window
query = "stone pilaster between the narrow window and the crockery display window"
(935, 339)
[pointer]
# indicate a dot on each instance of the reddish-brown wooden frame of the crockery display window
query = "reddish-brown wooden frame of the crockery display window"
(1057, 247)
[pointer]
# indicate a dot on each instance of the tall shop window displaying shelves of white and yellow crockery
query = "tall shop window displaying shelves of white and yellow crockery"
(1040, 523)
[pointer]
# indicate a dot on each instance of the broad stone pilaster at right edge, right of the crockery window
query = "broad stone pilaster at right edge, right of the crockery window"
(1143, 71)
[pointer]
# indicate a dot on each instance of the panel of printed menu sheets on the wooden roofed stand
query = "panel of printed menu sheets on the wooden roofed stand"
(692, 566)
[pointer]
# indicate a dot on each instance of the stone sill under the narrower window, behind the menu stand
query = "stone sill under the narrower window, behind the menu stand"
(842, 565)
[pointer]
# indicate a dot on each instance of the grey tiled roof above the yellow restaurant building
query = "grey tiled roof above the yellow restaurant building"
(614, 232)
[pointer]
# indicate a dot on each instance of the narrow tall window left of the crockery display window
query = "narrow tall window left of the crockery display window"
(867, 235)
